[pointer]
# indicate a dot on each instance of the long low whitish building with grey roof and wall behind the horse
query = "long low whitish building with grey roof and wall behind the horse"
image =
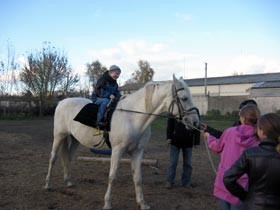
(226, 93)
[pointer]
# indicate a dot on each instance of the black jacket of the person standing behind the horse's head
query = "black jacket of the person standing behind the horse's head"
(180, 136)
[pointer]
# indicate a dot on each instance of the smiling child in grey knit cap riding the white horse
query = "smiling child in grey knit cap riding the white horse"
(106, 89)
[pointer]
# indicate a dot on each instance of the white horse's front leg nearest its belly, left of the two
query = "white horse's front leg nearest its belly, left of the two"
(116, 156)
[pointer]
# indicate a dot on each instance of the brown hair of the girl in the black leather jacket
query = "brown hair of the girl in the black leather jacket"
(270, 124)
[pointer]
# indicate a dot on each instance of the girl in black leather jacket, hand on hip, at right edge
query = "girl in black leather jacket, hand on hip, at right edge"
(262, 165)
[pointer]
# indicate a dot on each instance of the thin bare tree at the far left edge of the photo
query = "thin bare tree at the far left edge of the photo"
(8, 67)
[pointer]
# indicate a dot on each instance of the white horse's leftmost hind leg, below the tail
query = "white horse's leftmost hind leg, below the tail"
(55, 148)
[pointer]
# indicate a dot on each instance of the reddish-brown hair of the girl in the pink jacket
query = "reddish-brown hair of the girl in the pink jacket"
(251, 113)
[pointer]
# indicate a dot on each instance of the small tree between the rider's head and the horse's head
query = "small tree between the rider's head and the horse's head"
(142, 75)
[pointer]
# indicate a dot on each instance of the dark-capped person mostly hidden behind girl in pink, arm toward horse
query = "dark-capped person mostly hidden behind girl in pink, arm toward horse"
(218, 133)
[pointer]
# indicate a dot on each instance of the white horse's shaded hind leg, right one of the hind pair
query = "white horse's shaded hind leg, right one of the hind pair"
(67, 152)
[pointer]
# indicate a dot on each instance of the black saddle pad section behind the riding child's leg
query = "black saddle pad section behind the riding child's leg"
(87, 115)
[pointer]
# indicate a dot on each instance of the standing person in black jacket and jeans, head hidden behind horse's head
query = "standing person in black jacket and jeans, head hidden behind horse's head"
(180, 138)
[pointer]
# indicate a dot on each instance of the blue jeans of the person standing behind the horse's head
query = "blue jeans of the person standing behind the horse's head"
(173, 161)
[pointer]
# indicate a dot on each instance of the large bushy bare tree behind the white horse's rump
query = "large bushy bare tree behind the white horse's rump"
(47, 71)
